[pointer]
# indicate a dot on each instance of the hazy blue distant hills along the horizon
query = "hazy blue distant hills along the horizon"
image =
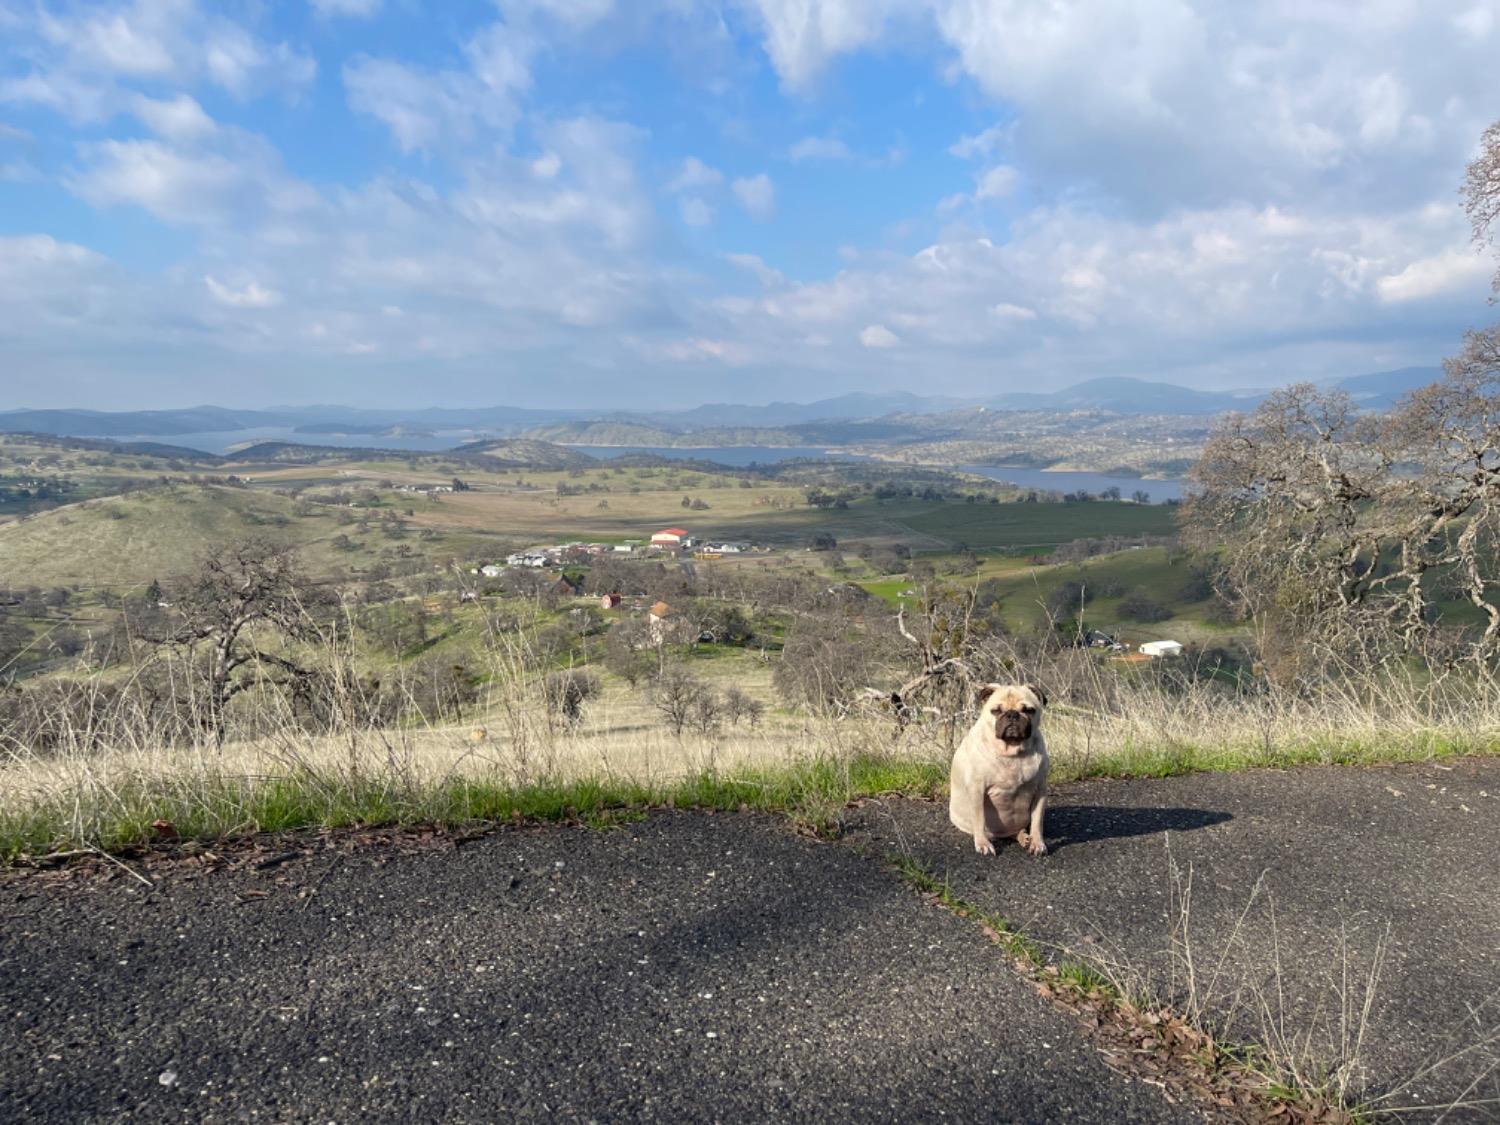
(716, 424)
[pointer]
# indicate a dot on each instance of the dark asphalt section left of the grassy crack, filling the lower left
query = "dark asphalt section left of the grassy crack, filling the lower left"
(682, 968)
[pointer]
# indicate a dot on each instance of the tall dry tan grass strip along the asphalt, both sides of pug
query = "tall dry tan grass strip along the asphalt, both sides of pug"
(92, 790)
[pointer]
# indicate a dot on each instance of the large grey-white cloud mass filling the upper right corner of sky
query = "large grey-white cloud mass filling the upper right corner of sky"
(1252, 101)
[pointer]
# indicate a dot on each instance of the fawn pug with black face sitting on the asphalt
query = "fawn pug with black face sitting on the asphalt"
(998, 785)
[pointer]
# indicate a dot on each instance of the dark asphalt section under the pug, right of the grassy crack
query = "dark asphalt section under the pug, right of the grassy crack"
(1268, 898)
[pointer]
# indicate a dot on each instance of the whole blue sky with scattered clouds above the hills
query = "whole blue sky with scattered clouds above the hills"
(656, 203)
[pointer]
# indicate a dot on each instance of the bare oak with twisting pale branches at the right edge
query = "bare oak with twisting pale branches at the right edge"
(1340, 532)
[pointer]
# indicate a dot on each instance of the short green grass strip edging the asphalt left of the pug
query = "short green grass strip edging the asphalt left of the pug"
(814, 794)
